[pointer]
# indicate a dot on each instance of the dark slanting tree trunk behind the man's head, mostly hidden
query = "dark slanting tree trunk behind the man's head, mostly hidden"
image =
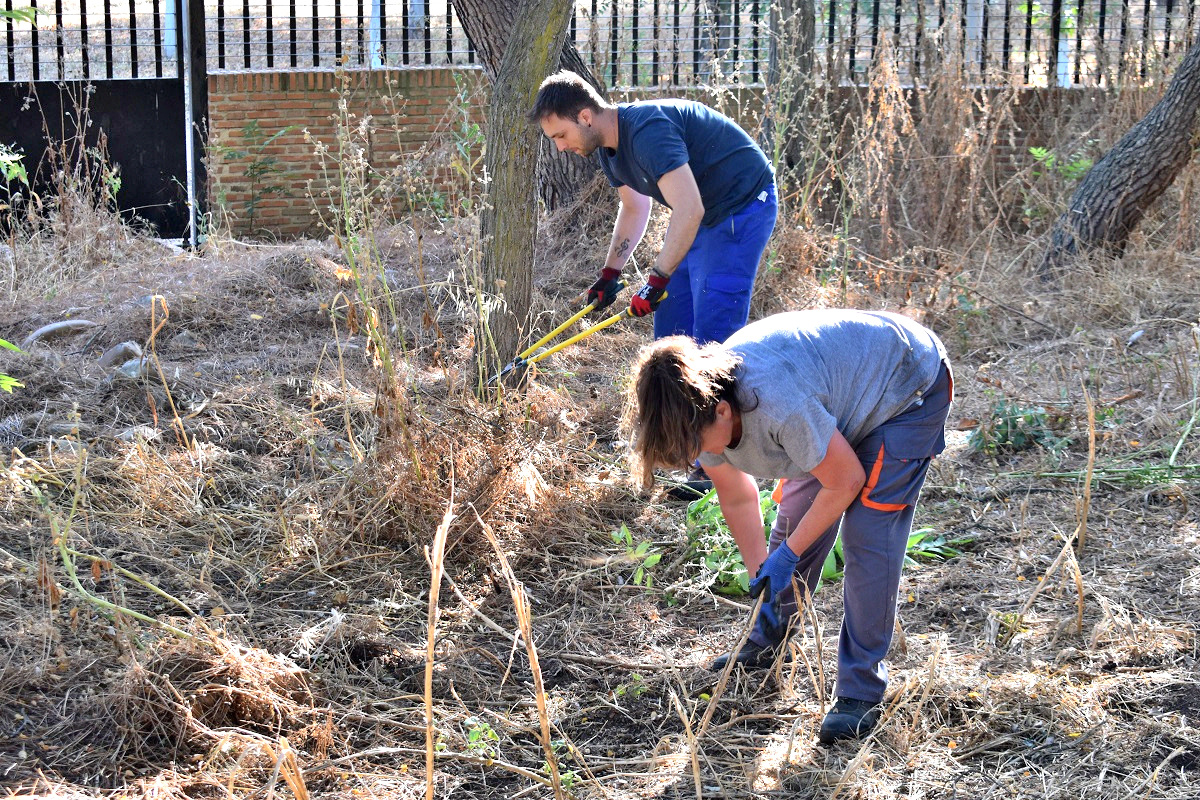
(489, 25)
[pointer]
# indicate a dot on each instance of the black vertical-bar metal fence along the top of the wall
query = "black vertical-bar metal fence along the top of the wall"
(628, 43)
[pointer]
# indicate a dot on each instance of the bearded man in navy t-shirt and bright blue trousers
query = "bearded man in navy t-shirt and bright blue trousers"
(716, 181)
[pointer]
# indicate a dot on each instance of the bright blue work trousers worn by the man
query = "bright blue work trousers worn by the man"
(709, 297)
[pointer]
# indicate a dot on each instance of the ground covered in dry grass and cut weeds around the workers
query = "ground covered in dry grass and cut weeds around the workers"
(256, 485)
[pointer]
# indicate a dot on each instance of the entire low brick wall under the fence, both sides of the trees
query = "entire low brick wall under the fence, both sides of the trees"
(416, 110)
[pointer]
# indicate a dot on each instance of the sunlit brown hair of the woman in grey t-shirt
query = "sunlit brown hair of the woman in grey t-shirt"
(674, 399)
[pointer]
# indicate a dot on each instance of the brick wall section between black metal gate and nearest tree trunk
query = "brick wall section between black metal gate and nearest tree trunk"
(412, 116)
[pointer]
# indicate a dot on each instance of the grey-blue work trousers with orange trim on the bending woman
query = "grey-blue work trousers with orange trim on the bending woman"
(875, 532)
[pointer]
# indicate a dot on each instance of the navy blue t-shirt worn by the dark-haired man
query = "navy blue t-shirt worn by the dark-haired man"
(657, 136)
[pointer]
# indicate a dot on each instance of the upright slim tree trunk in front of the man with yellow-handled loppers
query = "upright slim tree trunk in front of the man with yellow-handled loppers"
(509, 220)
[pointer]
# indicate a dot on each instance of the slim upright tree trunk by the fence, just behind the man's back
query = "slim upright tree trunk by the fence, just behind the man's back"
(789, 80)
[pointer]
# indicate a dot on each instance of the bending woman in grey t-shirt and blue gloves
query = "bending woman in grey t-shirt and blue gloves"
(848, 408)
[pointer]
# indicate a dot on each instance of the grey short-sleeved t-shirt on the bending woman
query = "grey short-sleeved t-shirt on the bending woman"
(807, 374)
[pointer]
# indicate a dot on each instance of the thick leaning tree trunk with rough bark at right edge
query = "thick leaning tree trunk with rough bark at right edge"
(1117, 193)
